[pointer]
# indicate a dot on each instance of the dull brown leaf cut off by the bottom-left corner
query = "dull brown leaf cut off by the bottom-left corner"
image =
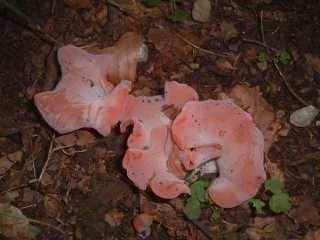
(13, 224)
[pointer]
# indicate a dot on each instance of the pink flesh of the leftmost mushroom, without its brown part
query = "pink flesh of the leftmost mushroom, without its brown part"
(83, 97)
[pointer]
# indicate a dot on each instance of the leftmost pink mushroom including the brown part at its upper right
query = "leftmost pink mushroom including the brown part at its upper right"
(85, 96)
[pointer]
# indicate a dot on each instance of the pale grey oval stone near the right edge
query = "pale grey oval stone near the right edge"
(304, 116)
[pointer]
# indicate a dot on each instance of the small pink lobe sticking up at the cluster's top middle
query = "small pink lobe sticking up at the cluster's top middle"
(178, 94)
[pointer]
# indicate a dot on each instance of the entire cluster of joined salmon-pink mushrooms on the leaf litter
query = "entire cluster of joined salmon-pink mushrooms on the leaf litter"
(94, 92)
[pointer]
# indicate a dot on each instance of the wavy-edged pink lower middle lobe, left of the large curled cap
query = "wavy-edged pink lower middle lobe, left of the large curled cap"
(148, 166)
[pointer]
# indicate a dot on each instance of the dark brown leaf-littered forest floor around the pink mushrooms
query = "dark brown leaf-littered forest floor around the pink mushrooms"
(73, 186)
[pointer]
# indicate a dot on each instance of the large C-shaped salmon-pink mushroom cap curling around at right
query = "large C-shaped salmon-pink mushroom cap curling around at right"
(222, 129)
